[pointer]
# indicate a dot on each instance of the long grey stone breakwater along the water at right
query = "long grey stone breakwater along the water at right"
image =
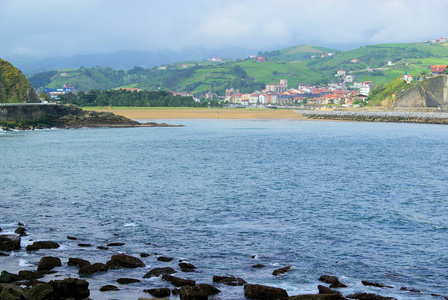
(391, 116)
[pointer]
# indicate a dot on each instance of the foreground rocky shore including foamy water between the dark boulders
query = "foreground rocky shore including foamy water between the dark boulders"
(39, 283)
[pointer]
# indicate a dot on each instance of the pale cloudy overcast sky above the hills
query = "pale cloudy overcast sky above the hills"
(45, 28)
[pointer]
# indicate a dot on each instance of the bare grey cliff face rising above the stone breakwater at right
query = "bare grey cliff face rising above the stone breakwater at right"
(433, 92)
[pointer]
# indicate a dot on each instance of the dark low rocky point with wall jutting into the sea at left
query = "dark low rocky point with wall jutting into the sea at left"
(66, 116)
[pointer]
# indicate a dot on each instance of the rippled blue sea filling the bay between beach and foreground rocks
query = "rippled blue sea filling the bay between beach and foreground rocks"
(360, 201)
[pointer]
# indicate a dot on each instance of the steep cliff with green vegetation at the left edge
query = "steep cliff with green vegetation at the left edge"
(14, 87)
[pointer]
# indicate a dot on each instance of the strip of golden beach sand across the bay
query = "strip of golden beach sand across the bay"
(206, 113)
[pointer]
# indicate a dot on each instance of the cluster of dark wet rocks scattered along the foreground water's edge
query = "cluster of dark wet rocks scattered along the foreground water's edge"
(31, 285)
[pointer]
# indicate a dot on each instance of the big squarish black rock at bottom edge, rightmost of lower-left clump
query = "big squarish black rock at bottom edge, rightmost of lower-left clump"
(69, 288)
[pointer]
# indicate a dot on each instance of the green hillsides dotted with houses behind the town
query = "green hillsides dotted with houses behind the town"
(299, 64)
